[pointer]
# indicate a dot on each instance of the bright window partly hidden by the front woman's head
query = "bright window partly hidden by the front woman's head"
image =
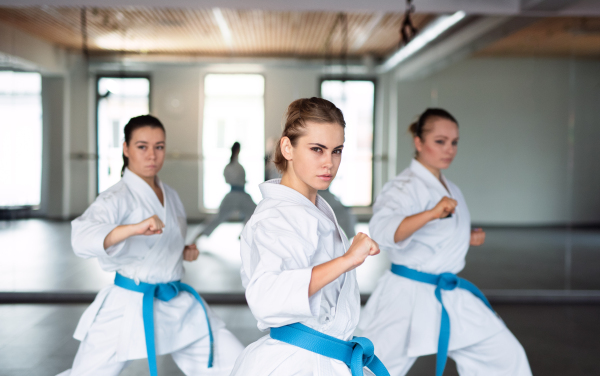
(354, 181)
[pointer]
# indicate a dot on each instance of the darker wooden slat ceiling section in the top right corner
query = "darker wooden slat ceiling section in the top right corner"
(552, 37)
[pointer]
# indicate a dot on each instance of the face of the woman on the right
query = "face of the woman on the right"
(439, 145)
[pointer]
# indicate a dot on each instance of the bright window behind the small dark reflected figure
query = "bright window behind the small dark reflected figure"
(234, 110)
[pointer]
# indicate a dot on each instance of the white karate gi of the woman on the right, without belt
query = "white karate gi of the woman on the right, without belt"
(402, 317)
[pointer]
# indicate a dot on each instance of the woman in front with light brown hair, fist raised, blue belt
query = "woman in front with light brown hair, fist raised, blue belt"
(296, 265)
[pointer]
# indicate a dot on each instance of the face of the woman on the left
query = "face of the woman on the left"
(146, 151)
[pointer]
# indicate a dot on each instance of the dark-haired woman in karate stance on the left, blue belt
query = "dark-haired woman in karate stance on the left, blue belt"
(137, 228)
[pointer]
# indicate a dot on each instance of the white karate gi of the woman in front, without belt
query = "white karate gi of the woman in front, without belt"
(285, 238)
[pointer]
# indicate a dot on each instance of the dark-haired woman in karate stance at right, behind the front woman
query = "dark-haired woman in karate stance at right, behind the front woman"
(421, 307)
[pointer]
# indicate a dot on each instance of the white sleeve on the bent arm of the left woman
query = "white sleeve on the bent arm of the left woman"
(89, 230)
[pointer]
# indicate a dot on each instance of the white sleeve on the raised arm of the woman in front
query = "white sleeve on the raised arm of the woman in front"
(279, 275)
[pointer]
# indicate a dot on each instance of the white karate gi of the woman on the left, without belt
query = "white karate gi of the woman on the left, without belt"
(111, 330)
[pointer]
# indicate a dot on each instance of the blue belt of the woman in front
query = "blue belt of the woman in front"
(356, 353)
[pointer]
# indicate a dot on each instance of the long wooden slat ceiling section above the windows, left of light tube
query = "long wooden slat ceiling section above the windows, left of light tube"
(254, 33)
